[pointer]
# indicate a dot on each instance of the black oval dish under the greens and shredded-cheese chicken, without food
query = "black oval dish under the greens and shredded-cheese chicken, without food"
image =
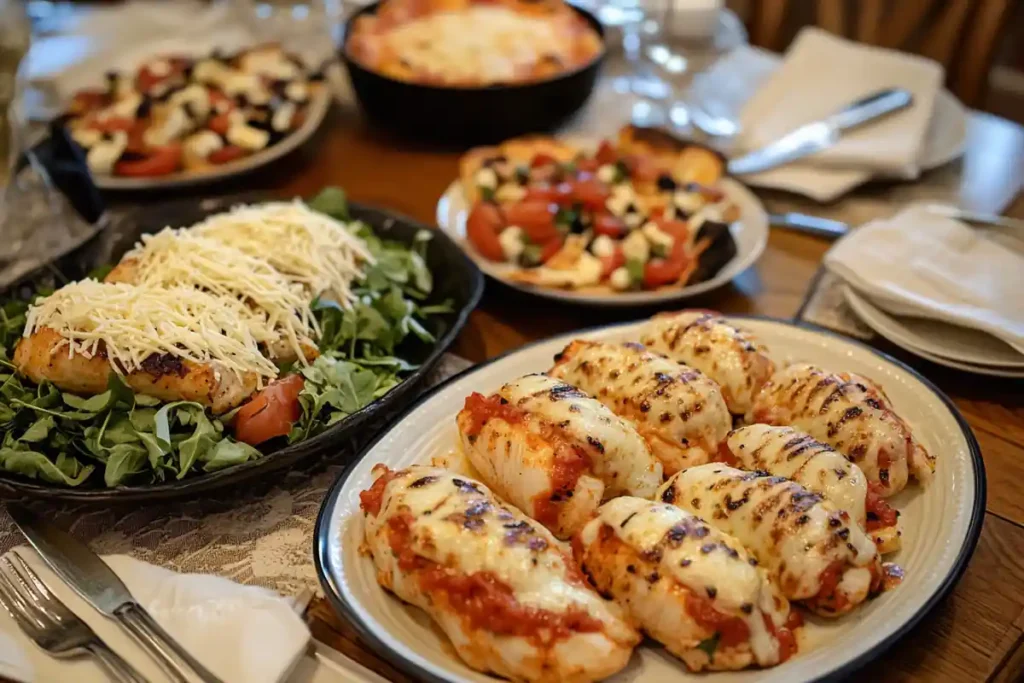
(456, 280)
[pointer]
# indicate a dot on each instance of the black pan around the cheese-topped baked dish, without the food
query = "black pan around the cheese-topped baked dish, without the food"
(470, 116)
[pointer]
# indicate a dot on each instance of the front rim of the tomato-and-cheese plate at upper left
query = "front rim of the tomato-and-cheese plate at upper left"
(320, 105)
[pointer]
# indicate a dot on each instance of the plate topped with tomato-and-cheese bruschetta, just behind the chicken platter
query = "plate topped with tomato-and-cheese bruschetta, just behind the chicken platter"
(646, 218)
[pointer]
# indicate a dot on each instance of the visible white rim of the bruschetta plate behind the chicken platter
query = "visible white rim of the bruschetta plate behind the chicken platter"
(750, 233)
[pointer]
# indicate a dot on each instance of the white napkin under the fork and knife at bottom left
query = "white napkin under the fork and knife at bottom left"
(241, 633)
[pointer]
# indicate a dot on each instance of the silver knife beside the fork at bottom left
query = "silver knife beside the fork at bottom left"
(90, 576)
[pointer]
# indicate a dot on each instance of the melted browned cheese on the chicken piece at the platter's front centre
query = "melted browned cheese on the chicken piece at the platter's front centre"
(708, 563)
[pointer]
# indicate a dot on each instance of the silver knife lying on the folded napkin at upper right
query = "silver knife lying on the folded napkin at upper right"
(822, 135)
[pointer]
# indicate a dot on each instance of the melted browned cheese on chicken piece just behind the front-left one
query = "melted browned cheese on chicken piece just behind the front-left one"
(619, 455)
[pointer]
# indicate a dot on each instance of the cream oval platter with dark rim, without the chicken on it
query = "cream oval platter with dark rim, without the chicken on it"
(942, 525)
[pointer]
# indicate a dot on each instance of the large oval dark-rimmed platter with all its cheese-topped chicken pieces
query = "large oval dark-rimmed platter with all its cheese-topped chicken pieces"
(694, 496)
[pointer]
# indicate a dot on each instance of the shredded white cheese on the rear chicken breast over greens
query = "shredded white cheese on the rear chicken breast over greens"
(310, 248)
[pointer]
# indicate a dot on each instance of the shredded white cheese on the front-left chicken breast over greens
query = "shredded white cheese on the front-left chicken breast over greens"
(130, 324)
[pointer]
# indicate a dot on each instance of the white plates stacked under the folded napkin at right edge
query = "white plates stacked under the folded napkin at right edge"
(940, 343)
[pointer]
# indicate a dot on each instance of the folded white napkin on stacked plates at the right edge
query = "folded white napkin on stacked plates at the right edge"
(919, 265)
